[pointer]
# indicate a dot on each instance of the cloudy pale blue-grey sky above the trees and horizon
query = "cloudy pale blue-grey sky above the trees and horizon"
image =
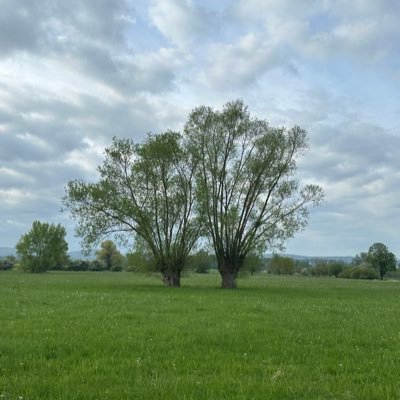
(74, 74)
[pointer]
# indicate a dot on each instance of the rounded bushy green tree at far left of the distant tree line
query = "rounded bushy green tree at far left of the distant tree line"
(43, 247)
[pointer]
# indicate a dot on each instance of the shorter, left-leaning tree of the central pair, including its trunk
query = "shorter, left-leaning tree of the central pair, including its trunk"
(145, 190)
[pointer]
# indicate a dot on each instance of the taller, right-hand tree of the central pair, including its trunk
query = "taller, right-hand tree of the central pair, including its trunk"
(246, 192)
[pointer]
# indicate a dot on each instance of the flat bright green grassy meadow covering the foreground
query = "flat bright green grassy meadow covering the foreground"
(124, 336)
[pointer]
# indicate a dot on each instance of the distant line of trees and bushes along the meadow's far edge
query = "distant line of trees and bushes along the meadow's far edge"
(44, 248)
